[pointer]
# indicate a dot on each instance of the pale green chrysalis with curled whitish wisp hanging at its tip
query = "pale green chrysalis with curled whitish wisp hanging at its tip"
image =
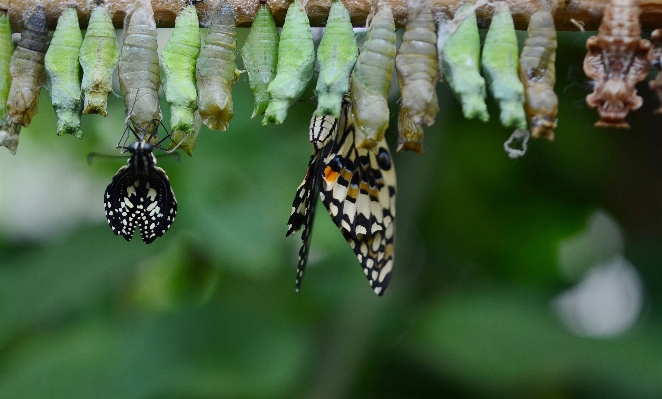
(500, 64)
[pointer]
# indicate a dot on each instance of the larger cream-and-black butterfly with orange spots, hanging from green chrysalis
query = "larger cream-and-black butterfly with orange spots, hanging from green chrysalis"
(358, 189)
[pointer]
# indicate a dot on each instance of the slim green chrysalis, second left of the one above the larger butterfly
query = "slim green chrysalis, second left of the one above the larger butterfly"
(260, 56)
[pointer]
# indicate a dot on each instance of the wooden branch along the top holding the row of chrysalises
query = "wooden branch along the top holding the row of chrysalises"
(587, 12)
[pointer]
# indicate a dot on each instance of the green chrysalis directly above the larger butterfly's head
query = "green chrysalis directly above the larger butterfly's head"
(336, 55)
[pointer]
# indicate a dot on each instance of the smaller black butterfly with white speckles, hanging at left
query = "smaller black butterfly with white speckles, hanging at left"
(139, 194)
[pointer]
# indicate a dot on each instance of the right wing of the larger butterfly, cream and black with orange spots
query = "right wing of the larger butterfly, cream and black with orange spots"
(358, 189)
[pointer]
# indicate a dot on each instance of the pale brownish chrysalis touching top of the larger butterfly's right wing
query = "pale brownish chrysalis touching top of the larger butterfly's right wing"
(370, 81)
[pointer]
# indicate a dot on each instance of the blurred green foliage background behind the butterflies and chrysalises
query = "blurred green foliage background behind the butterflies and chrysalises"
(209, 309)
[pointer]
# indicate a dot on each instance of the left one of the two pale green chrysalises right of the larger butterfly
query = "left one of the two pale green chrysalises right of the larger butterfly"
(461, 63)
